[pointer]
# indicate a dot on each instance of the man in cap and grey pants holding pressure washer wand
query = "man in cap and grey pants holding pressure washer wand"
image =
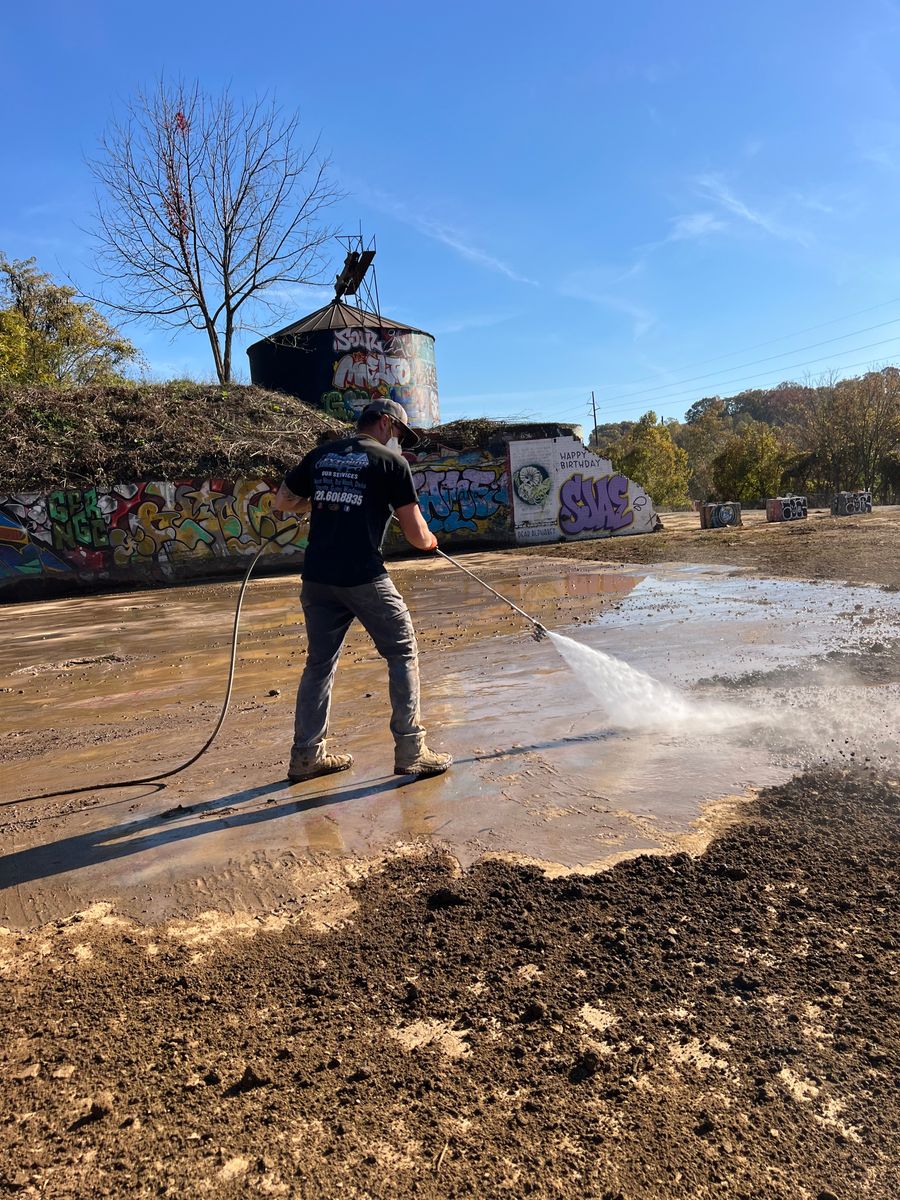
(351, 488)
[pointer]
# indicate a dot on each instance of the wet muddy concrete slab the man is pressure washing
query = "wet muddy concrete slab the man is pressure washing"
(107, 688)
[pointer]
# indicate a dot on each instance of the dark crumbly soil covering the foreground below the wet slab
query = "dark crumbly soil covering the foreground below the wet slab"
(675, 1028)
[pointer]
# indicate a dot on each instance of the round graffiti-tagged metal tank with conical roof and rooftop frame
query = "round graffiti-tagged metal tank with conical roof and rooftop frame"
(341, 357)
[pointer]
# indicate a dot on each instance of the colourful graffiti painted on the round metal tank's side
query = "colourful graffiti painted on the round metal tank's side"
(382, 365)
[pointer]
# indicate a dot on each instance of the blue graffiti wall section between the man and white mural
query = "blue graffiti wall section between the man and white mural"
(458, 497)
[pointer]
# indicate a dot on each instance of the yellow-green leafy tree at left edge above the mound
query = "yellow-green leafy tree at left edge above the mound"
(49, 337)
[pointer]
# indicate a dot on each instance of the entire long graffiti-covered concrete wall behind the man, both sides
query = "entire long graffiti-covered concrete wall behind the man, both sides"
(166, 532)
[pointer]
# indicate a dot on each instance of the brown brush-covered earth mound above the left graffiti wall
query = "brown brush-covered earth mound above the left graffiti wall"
(95, 436)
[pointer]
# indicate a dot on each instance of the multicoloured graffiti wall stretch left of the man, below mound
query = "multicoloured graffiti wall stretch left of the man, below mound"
(157, 532)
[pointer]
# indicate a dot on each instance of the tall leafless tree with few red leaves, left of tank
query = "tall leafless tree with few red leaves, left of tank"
(206, 205)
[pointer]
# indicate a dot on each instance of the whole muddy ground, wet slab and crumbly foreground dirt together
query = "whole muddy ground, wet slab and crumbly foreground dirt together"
(233, 987)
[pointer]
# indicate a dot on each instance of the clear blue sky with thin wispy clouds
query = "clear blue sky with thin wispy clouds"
(657, 201)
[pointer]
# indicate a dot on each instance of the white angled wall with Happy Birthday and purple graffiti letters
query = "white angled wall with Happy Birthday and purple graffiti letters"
(563, 491)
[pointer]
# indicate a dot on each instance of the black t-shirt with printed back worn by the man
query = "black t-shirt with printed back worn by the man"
(355, 485)
